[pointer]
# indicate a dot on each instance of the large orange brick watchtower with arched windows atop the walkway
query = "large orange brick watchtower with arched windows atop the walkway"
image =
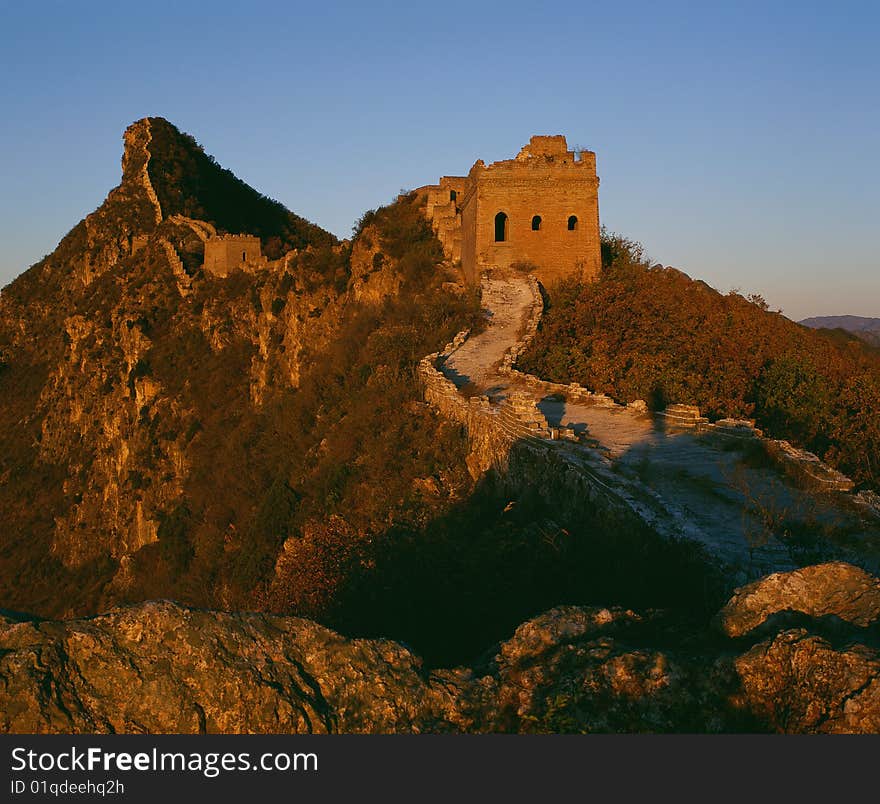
(541, 208)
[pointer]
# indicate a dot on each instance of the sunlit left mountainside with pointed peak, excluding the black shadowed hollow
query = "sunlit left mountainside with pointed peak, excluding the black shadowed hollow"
(164, 431)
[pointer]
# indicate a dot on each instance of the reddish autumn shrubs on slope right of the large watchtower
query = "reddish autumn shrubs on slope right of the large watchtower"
(643, 332)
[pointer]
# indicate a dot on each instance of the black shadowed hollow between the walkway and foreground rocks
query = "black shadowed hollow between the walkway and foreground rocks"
(469, 578)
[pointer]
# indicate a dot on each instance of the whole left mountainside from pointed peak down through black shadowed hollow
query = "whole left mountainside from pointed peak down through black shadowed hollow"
(261, 441)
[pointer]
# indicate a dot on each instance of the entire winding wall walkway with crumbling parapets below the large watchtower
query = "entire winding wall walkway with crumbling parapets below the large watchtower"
(720, 484)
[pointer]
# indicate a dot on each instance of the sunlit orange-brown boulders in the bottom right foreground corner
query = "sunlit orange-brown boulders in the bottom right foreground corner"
(822, 675)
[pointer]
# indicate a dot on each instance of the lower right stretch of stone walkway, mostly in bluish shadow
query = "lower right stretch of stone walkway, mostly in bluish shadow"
(749, 510)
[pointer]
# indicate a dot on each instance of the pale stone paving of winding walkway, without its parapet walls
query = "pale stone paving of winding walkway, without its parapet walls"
(724, 492)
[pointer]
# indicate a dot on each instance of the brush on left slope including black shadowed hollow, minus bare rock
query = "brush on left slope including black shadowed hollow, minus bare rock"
(344, 498)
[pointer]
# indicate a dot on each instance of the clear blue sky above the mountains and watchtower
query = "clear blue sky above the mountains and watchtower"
(737, 141)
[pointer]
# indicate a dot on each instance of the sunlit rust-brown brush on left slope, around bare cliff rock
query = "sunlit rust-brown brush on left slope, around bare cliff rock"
(352, 437)
